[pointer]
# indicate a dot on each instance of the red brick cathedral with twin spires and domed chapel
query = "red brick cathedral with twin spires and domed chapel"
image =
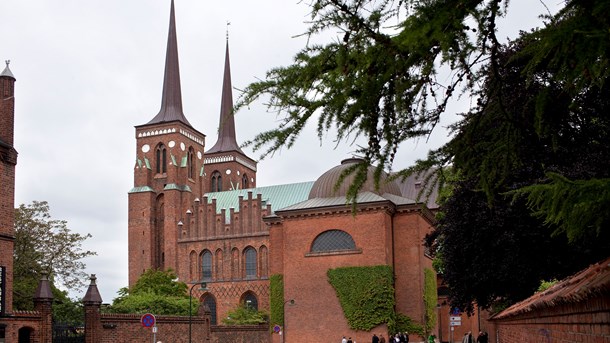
(200, 212)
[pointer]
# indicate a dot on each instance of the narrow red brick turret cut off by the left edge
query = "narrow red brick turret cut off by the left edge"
(8, 160)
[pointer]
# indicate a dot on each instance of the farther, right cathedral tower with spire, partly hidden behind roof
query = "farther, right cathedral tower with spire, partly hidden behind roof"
(226, 165)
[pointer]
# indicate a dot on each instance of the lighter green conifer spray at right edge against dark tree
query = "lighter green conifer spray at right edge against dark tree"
(576, 208)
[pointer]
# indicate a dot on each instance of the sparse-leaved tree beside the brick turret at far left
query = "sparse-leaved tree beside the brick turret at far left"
(45, 246)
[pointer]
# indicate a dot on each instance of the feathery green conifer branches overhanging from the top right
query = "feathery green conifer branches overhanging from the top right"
(380, 77)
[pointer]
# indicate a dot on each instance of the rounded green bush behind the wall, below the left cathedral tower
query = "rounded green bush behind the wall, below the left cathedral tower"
(158, 292)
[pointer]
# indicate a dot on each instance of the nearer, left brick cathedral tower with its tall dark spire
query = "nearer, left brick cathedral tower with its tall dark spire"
(168, 175)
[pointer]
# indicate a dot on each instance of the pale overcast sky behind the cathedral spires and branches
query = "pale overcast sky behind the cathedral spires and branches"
(89, 71)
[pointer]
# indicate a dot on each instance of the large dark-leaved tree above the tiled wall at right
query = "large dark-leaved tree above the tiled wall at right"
(486, 237)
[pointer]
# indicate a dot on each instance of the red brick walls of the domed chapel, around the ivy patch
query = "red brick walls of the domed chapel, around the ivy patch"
(384, 235)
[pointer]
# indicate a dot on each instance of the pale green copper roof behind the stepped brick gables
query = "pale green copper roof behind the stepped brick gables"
(279, 196)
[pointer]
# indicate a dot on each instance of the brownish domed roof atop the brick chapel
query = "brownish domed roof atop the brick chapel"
(324, 187)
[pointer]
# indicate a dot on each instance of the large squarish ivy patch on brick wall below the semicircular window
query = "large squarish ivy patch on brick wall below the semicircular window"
(366, 295)
